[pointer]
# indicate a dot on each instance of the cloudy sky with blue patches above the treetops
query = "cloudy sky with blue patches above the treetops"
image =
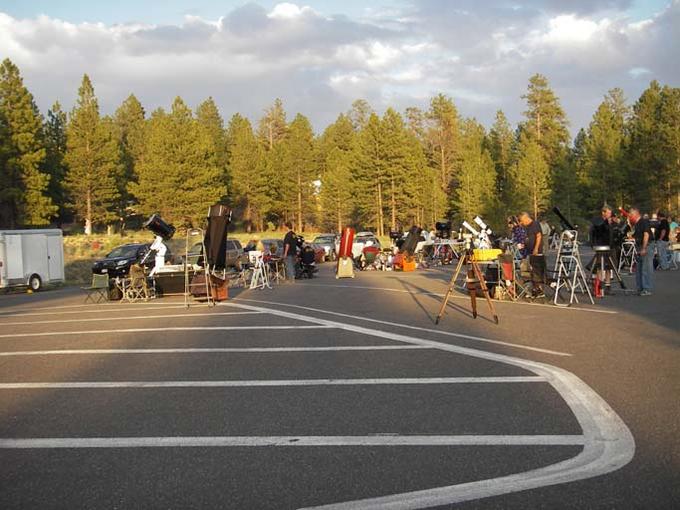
(318, 56)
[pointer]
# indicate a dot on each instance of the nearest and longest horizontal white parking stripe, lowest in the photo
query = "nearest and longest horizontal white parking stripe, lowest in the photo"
(256, 441)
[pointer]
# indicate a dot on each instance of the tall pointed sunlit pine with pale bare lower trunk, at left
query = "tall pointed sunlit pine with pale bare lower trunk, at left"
(94, 161)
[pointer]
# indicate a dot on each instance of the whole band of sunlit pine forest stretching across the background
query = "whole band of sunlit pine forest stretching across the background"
(372, 171)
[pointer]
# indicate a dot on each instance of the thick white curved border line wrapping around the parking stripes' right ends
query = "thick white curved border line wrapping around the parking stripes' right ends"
(608, 443)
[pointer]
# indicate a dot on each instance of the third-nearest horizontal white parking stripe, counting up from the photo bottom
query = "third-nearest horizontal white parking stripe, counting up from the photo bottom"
(226, 350)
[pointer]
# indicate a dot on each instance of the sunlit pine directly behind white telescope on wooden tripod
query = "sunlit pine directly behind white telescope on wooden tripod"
(474, 188)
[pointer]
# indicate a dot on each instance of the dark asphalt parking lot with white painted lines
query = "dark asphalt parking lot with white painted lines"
(339, 394)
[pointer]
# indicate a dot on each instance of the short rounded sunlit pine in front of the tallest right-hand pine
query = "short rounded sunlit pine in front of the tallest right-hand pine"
(531, 177)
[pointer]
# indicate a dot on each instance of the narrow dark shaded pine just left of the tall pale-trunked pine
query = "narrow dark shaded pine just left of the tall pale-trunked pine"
(54, 165)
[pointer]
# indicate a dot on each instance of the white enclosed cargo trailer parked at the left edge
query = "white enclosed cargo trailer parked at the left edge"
(31, 257)
